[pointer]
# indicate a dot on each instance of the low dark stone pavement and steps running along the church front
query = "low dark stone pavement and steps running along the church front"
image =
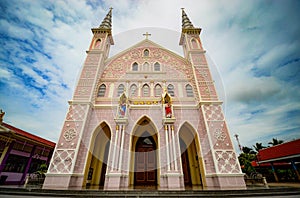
(274, 190)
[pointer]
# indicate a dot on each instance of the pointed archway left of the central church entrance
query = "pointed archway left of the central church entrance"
(98, 155)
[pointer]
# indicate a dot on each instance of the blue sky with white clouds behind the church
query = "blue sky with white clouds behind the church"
(253, 47)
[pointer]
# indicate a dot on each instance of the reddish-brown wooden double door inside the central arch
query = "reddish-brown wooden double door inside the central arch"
(145, 162)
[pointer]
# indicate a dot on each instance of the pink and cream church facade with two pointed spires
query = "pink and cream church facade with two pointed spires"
(145, 118)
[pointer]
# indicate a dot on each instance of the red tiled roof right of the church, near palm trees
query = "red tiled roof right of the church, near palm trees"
(280, 151)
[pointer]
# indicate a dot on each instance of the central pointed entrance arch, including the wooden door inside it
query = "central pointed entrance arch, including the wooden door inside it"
(144, 171)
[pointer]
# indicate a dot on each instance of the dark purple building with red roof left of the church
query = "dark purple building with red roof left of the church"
(21, 153)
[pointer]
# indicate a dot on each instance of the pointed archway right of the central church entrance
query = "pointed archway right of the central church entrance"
(192, 165)
